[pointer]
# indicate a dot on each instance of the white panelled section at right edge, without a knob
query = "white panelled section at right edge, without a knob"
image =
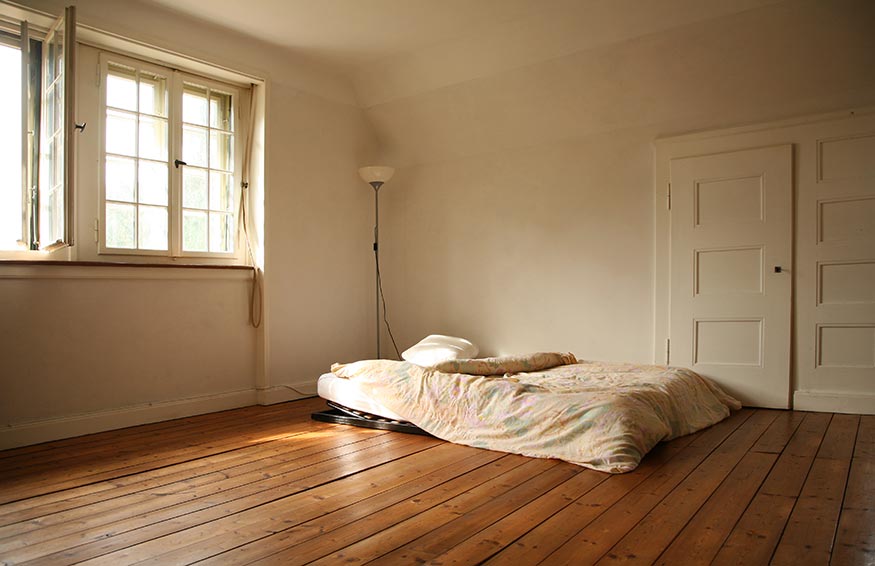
(836, 286)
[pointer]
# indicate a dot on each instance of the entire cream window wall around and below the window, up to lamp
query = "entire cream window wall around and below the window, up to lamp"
(139, 341)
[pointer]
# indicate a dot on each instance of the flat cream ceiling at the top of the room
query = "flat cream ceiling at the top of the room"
(347, 34)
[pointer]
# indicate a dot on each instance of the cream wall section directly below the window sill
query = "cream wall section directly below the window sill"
(78, 340)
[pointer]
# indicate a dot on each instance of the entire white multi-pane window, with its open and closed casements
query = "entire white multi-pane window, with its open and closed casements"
(159, 166)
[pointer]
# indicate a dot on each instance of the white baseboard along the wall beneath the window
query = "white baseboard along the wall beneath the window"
(33, 432)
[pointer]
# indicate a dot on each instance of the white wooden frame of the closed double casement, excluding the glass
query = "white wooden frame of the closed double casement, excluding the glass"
(175, 82)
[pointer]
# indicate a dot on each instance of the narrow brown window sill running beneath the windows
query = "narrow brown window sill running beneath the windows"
(50, 269)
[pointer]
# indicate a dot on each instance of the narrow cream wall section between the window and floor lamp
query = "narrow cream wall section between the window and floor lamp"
(319, 214)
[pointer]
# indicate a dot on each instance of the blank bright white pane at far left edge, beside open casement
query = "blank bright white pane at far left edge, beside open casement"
(11, 203)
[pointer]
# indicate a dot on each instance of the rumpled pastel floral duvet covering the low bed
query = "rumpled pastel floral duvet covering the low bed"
(605, 416)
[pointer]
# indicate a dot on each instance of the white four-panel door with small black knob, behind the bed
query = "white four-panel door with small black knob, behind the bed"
(731, 254)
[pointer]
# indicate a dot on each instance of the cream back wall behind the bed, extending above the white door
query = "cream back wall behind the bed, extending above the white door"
(522, 214)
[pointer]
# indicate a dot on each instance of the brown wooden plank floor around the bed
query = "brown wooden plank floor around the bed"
(270, 486)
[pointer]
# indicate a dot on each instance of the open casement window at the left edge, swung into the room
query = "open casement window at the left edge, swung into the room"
(36, 158)
